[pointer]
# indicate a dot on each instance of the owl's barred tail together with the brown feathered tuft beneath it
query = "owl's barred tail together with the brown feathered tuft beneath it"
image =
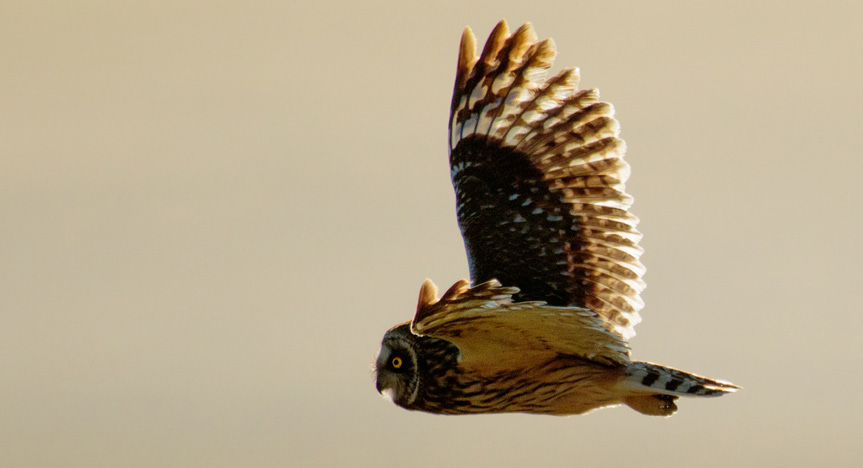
(653, 388)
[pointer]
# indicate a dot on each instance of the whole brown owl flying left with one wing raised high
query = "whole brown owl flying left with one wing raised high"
(542, 327)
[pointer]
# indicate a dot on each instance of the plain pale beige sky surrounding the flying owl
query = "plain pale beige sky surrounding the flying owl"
(211, 212)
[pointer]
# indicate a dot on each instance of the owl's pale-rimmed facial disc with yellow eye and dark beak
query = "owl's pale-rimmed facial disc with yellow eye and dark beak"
(397, 370)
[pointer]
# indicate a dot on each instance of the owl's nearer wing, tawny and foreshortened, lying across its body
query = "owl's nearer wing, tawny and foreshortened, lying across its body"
(490, 329)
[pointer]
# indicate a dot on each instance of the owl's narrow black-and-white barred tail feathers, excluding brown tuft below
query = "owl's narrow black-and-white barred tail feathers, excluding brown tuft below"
(653, 378)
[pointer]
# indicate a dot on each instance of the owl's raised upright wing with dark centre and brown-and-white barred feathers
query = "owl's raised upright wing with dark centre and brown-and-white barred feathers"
(539, 177)
